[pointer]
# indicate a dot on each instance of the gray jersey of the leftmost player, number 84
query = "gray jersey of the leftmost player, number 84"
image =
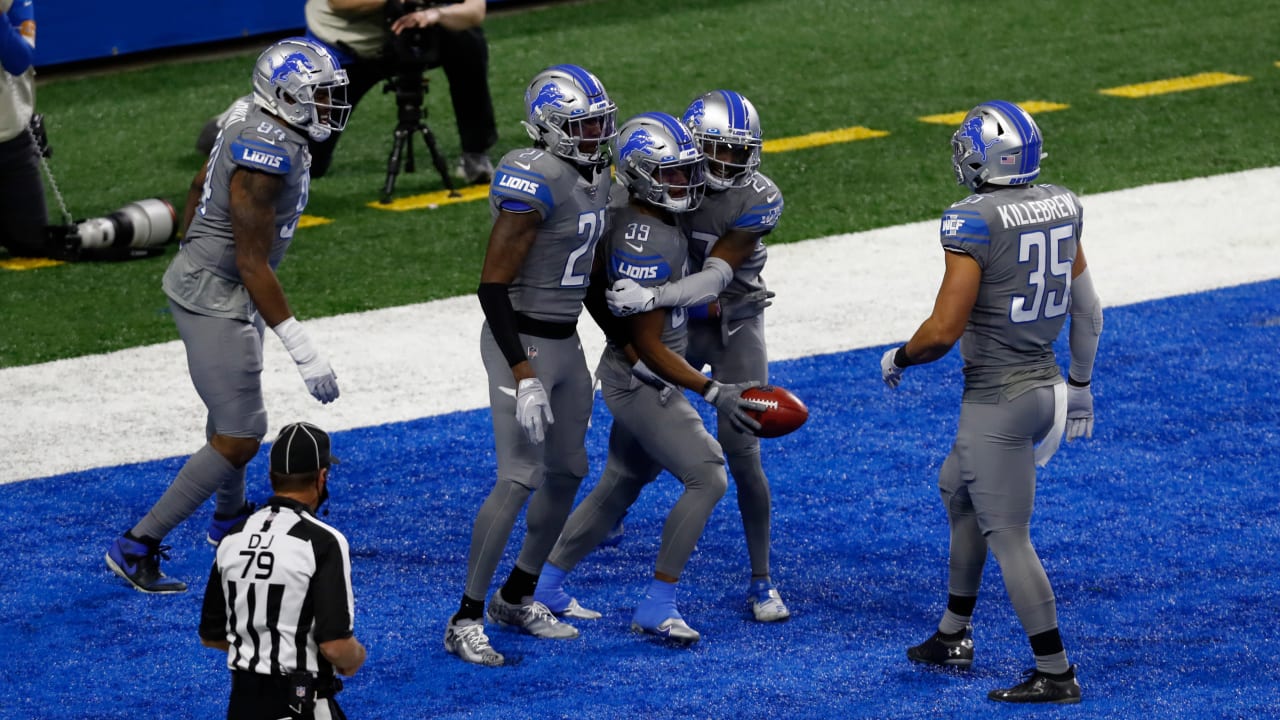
(203, 277)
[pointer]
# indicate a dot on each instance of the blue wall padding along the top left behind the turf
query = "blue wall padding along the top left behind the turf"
(83, 30)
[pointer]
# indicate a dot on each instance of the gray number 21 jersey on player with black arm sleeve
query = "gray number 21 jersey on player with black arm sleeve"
(554, 280)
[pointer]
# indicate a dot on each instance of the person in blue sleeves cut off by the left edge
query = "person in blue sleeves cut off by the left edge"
(24, 213)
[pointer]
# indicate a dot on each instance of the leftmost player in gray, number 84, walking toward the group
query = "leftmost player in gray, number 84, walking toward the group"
(241, 216)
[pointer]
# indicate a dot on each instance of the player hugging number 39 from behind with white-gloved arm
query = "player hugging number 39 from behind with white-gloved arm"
(726, 302)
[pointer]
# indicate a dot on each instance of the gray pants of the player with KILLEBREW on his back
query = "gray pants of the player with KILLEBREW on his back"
(989, 489)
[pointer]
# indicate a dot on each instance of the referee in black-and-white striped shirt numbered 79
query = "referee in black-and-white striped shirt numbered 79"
(280, 600)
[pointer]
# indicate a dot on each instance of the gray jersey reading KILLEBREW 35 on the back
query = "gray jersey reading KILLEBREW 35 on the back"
(1025, 239)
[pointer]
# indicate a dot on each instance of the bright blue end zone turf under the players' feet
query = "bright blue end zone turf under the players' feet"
(1159, 536)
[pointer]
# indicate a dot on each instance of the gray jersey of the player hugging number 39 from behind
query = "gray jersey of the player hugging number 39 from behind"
(753, 208)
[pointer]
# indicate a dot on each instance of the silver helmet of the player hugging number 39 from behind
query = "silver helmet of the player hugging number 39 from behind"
(728, 129)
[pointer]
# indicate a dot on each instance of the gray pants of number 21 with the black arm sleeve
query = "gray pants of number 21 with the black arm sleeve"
(555, 470)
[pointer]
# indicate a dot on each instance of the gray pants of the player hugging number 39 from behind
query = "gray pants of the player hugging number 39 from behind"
(743, 358)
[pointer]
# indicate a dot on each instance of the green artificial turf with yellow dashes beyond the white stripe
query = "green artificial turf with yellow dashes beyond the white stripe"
(810, 66)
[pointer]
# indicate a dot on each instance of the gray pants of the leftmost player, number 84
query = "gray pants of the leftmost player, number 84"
(225, 359)
